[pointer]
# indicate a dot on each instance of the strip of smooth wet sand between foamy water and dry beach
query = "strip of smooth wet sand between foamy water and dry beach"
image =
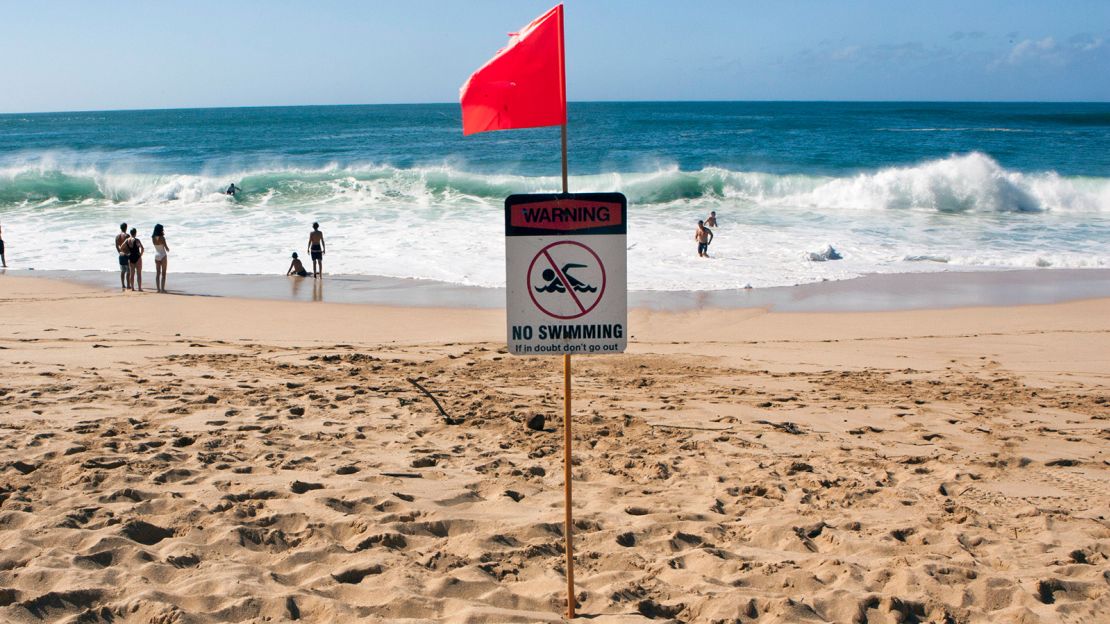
(904, 291)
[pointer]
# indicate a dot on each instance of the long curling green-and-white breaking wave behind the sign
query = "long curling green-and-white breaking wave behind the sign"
(972, 183)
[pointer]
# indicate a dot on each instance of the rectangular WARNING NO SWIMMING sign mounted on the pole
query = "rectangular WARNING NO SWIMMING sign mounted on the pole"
(566, 274)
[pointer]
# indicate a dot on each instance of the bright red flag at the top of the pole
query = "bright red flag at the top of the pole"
(524, 85)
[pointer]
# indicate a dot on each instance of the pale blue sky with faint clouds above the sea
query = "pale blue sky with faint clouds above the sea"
(132, 55)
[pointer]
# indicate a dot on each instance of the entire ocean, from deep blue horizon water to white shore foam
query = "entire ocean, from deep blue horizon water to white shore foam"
(399, 192)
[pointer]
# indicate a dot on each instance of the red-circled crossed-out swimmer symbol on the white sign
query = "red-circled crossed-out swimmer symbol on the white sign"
(567, 280)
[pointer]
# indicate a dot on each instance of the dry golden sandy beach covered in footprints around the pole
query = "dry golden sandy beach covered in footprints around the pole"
(173, 459)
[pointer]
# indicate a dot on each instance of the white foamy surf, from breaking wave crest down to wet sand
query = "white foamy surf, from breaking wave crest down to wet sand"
(446, 224)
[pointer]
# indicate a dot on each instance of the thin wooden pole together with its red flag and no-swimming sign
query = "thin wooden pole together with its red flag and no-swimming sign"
(524, 86)
